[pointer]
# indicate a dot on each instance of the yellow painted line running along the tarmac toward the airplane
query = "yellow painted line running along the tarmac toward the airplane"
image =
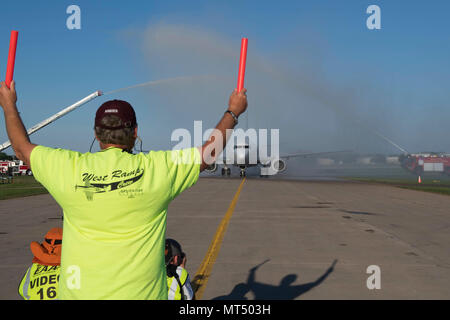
(202, 276)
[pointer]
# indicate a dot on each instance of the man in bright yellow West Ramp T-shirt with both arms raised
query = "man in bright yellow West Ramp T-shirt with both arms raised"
(115, 202)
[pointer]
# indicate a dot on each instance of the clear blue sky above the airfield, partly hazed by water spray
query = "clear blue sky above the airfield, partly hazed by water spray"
(397, 77)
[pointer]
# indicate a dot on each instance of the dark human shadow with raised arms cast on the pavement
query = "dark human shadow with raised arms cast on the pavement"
(284, 291)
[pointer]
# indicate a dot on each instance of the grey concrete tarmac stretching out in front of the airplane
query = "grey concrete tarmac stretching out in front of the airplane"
(285, 240)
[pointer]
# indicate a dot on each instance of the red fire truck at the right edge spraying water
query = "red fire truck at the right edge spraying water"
(426, 163)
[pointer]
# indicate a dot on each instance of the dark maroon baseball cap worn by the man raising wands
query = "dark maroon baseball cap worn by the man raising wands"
(119, 108)
